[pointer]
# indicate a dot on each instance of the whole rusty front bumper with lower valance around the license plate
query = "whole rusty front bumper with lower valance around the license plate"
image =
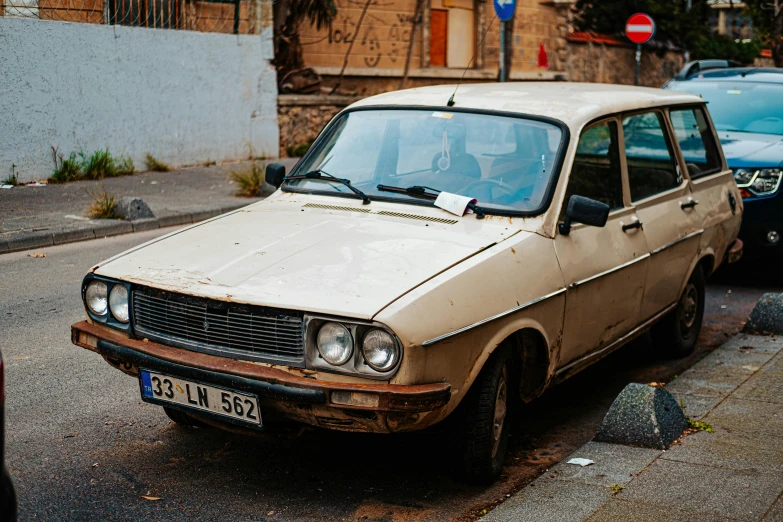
(282, 395)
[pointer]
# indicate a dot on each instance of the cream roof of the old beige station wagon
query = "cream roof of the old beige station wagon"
(575, 104)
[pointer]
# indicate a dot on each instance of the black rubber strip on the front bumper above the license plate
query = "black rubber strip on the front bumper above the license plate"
(265, 389)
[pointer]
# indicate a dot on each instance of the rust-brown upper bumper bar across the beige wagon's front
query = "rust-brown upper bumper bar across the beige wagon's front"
(392, 397)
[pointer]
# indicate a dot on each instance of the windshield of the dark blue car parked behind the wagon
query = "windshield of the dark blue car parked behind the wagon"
(741, 106)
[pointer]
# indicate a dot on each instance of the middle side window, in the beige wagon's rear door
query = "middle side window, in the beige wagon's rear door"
(648, 153)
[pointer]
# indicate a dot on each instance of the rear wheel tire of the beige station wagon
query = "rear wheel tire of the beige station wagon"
(675, 335)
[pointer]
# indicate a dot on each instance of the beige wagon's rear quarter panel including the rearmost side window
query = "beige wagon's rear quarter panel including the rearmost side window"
(717, 204)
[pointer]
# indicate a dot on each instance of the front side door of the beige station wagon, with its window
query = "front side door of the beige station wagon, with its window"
(604, 268)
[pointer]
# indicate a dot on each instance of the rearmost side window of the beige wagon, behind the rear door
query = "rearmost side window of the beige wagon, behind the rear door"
(697, 141)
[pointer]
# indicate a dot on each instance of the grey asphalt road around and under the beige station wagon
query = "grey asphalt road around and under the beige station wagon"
(82, 446)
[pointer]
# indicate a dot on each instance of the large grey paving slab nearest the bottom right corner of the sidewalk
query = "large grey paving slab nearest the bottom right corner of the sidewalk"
(744, 495)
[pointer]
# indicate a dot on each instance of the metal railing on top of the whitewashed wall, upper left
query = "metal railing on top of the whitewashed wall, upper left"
(221, 16)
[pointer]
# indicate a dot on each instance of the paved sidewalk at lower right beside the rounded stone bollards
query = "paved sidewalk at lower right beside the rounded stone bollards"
(735, 473)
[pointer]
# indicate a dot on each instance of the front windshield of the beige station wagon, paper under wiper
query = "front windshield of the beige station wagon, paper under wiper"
(505, 163)
